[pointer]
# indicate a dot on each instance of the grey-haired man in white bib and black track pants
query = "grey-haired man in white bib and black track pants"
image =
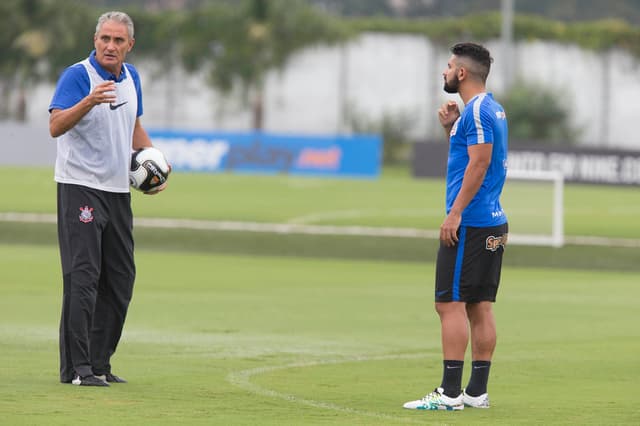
(94, 114)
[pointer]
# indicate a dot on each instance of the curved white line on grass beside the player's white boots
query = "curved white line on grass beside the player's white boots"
(242, 379)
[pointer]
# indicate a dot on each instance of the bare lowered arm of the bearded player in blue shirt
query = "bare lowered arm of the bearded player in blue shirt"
(479, 160)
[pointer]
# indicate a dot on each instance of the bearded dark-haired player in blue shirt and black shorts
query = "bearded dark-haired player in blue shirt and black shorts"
(474, 232)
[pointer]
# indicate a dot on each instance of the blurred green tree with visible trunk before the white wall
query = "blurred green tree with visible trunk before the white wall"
(240, 45)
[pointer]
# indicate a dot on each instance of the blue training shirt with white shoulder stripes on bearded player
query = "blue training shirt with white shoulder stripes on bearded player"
(482, 121)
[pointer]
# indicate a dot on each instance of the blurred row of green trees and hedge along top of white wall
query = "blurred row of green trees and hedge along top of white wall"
(237, 43)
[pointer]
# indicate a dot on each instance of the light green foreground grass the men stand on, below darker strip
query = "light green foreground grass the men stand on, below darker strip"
(215, 339)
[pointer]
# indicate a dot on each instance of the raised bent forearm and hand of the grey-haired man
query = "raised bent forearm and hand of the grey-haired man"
(63, 120)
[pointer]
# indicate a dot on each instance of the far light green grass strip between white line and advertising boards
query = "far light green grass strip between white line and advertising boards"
(395, 200)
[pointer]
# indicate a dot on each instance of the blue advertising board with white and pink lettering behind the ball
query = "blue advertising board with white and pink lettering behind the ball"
(258, 152)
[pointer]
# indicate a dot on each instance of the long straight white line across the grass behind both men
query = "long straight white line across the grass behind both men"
(292, 228)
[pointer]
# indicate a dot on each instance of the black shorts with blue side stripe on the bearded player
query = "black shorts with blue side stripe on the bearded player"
(470, 271)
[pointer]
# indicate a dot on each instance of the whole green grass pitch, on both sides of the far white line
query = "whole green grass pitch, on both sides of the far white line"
(236, 328)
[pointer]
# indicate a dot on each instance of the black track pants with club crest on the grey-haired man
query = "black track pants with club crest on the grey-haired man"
(96, 250)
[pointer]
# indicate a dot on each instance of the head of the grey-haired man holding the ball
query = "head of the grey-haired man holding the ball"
(112, 44)
